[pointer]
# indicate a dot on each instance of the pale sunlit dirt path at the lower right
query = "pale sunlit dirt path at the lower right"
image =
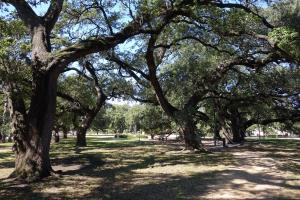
(258, 175)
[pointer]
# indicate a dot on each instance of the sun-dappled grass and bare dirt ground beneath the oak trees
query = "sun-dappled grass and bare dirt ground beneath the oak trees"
(129, 169)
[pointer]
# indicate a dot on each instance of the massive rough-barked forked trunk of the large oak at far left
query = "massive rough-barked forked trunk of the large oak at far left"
(32, 129)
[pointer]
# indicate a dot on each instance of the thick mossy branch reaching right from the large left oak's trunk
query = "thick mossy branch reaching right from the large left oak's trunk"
(97, 44)
